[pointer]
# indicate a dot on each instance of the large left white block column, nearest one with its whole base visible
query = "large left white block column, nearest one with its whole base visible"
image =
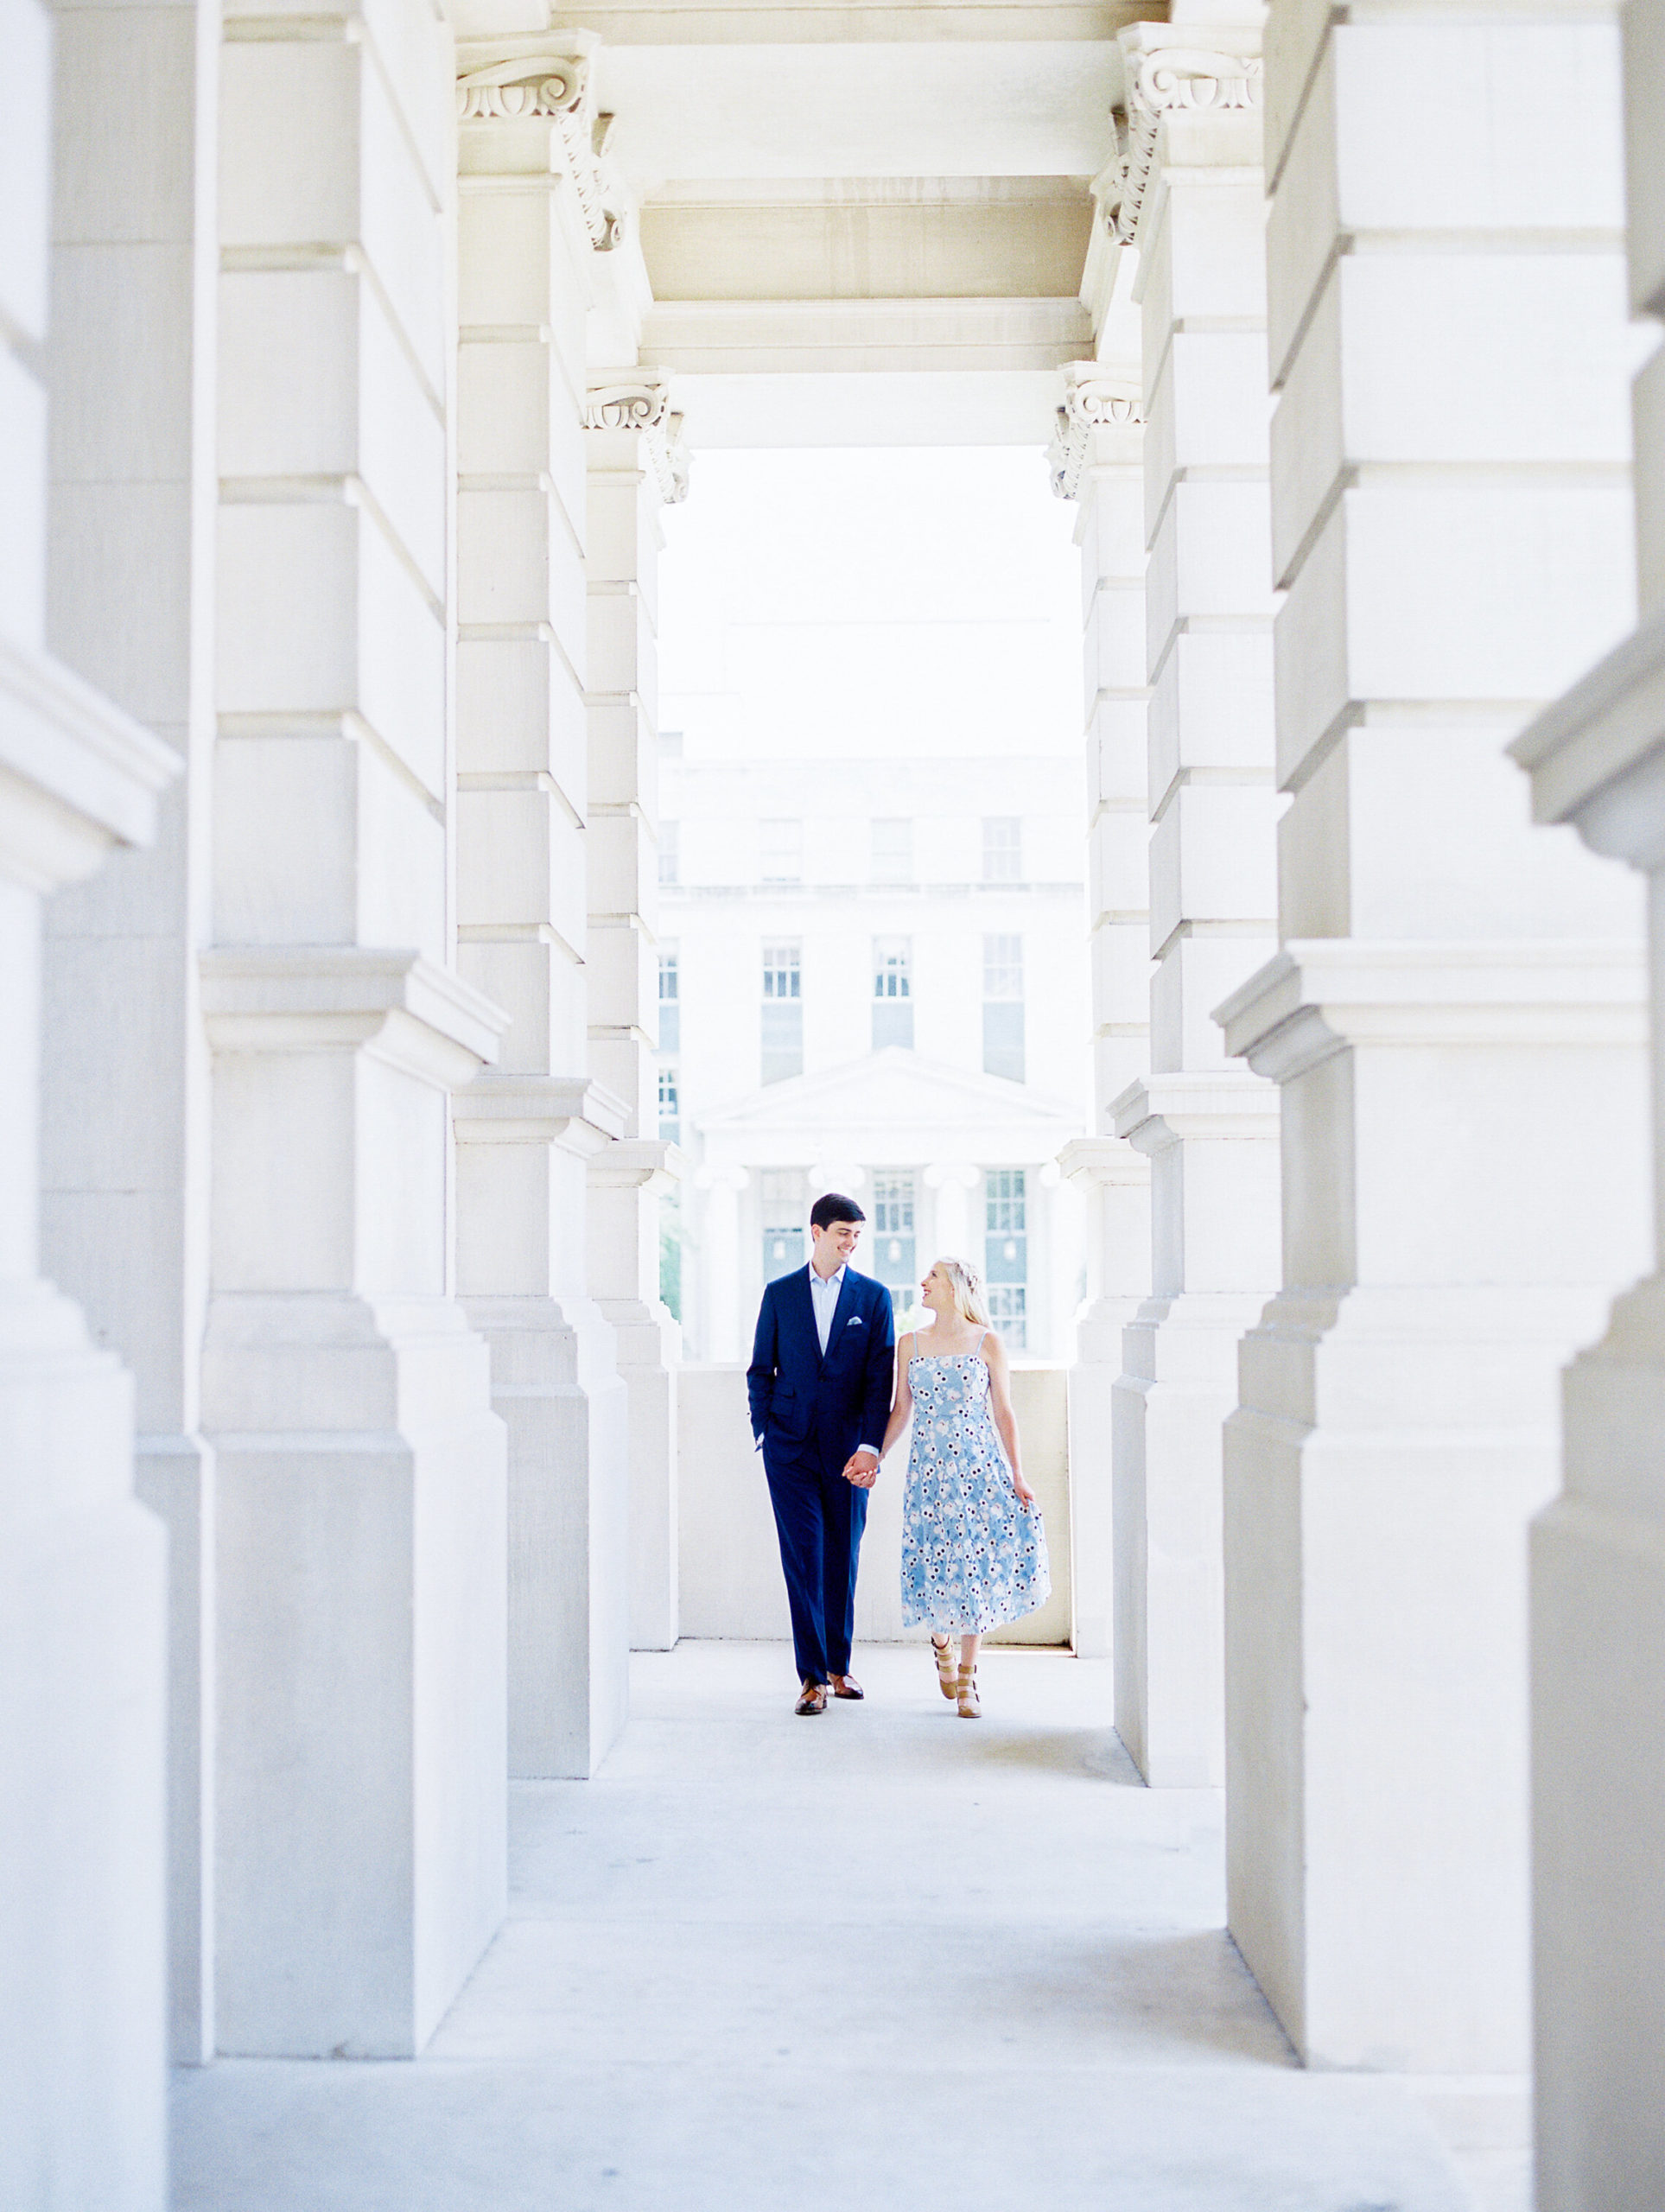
(362, 1470)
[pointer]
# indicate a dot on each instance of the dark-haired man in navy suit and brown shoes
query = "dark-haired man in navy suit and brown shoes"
(821, 1395)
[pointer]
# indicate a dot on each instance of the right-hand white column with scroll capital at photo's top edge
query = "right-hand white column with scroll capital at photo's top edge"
(1191, 200)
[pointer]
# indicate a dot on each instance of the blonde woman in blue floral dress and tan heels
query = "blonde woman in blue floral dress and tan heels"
(974, 1550)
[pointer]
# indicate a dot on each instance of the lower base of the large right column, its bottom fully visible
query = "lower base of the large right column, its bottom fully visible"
(1381, 1474)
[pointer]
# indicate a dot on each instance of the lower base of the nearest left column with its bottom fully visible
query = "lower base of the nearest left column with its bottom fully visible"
(362, 1669)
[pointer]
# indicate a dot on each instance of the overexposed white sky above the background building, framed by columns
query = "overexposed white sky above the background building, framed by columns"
(875, 603)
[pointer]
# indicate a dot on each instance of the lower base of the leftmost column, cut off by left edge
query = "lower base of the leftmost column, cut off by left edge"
(83, 1623)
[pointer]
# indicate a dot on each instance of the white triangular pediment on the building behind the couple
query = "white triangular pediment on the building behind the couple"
(897, 1100)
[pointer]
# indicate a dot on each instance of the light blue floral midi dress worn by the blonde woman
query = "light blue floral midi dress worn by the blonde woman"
(972, 1556)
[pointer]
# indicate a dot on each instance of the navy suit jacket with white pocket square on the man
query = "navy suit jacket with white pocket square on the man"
(813, 1408)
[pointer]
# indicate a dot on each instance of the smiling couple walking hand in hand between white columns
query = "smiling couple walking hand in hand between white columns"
(830, 1395)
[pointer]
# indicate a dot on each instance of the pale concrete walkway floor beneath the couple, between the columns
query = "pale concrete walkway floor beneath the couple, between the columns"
(872, 1961)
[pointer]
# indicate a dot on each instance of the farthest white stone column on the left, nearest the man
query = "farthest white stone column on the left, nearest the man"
(638, 466)
